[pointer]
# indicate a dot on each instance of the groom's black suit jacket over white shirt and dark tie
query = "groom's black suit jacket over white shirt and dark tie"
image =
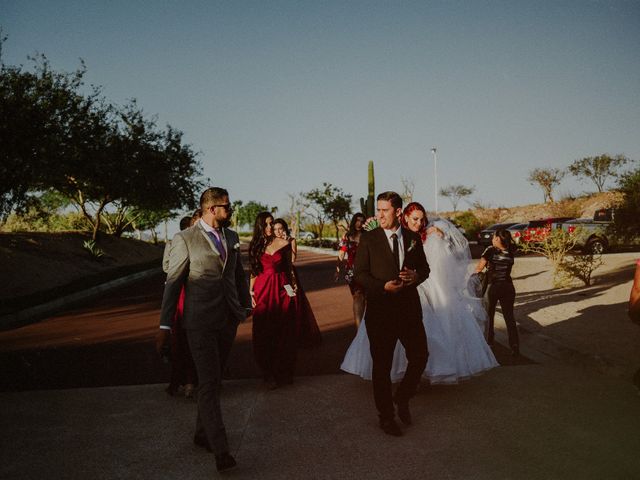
(375, 266)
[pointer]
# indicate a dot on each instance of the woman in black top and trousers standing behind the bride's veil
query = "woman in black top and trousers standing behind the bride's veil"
(499, 259)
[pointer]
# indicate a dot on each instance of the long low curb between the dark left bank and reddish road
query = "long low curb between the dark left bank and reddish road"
(39, 312)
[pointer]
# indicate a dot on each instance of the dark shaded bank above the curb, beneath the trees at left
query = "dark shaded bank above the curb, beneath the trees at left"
(37, 267)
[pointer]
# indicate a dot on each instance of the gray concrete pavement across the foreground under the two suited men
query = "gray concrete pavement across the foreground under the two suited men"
(545, 421)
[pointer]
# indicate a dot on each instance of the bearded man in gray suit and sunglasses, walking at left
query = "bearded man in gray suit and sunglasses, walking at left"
(205, 259)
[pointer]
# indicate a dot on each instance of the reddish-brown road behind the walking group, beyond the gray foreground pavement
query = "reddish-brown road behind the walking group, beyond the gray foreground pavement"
(111, 340)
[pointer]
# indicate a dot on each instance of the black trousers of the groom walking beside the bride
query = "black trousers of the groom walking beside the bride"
(383, 335)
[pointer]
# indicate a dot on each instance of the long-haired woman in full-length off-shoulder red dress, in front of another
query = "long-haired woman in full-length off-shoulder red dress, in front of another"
(272, 291)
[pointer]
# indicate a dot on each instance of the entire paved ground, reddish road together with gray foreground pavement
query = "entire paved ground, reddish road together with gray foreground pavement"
(527, 421)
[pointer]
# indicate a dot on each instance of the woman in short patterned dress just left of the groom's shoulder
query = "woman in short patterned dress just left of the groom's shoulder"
(348, 248)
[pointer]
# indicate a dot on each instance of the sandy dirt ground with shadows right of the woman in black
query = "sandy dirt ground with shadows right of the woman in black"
(589, 321)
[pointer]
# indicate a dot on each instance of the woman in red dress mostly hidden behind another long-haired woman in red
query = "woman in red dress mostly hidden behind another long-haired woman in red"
(307, 330)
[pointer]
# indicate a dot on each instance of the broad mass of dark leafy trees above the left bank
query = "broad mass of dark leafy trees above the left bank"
(53, 135)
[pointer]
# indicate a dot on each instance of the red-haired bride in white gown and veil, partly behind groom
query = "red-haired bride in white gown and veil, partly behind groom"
(453, 316)
